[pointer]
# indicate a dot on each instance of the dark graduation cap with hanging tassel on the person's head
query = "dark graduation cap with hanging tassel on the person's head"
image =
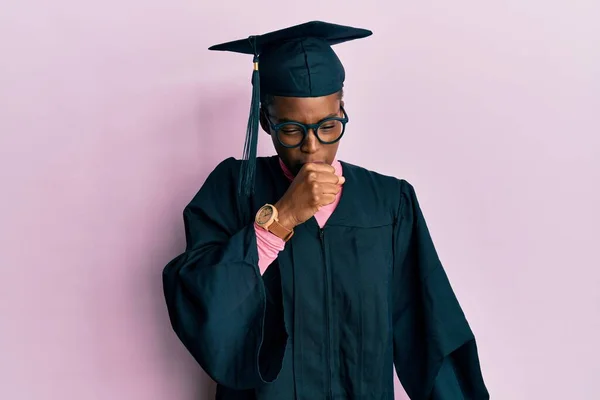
(294, 62)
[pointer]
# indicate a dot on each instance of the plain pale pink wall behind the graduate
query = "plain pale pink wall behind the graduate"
(112, 113)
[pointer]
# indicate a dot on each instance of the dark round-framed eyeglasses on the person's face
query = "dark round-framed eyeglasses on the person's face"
(292, 134)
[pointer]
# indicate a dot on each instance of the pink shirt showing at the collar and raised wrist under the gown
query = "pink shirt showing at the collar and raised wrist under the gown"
(270, 245)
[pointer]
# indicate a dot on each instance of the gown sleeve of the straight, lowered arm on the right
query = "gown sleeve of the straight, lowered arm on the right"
(435, 352)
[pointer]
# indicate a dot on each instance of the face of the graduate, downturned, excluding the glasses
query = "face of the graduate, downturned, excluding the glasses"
(310, 110)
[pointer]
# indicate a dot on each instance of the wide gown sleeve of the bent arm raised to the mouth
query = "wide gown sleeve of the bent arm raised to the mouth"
(228, 316)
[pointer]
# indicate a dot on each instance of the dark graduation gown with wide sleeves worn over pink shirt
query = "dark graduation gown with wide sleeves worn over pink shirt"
(335, 312)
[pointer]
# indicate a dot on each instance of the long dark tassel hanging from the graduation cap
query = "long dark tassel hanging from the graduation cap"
(247, 175)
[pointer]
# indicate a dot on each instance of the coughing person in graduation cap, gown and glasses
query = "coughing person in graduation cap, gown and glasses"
(313, 278)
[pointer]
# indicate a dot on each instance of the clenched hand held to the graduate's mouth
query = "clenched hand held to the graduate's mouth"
(315, 186)
